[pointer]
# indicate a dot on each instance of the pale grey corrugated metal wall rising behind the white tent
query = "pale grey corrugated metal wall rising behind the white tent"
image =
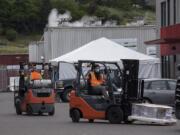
(59, 41)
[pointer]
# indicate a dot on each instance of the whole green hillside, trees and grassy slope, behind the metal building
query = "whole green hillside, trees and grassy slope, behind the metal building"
(19, 19)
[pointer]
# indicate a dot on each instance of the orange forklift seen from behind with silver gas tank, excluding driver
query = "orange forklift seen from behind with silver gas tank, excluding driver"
(34, 96)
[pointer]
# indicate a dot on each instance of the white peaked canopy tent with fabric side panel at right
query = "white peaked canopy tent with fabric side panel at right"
(104, 49)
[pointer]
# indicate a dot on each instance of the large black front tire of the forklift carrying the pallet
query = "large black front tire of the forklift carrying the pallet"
(115, 115)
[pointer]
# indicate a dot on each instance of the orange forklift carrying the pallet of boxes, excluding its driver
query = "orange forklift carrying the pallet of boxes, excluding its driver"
(121, 85)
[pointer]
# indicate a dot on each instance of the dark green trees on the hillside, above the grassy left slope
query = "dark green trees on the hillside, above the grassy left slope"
(27, 16)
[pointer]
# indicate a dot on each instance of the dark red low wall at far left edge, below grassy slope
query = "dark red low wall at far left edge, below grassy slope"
(13, 59)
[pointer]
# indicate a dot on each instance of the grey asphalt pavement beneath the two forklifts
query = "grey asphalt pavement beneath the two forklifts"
(60, 123)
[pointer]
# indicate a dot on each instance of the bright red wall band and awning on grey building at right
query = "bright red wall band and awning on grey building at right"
(169, 41)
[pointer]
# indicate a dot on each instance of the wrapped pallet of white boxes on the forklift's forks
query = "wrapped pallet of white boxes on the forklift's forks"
(152, 113)
